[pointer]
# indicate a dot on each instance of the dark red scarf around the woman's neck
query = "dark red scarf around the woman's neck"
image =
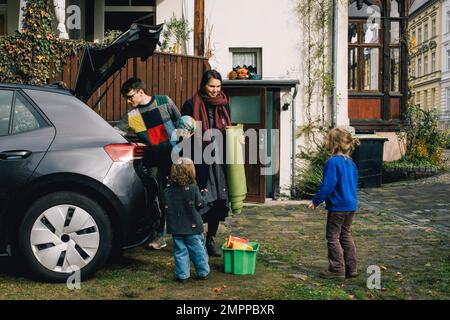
(221, 117)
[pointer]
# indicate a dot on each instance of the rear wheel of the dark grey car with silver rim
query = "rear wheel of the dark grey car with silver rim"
(64, 232)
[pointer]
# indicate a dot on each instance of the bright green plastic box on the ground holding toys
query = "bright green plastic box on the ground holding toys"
(240, 262)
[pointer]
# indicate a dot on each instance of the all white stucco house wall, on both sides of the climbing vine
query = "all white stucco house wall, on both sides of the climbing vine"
(274, 27)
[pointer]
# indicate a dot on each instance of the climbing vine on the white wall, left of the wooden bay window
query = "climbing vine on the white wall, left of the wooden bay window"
(315, 17)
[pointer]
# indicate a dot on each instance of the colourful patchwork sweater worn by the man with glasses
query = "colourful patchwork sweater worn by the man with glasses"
(153, 124)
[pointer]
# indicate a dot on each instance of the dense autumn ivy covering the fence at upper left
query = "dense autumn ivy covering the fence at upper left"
(31, 55)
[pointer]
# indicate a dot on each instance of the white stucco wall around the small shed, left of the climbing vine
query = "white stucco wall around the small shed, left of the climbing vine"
(273, 27)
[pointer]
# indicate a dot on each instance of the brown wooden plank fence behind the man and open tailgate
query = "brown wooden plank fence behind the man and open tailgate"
(177, 76)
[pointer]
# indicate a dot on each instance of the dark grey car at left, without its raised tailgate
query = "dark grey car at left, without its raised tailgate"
(71, 187)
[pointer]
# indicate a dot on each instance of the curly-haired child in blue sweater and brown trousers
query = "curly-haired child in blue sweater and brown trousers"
(339, 191)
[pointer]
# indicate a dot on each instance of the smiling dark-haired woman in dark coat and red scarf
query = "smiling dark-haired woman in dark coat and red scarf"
(210, 106)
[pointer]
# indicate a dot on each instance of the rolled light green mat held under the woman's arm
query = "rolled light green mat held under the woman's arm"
(237, 183)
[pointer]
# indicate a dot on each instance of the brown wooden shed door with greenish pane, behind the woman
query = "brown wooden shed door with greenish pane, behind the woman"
(248, 106)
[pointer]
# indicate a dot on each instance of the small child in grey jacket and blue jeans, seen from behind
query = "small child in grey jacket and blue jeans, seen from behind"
(184, 222)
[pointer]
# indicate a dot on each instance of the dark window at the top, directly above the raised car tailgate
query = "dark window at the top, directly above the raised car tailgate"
(120, 14)
